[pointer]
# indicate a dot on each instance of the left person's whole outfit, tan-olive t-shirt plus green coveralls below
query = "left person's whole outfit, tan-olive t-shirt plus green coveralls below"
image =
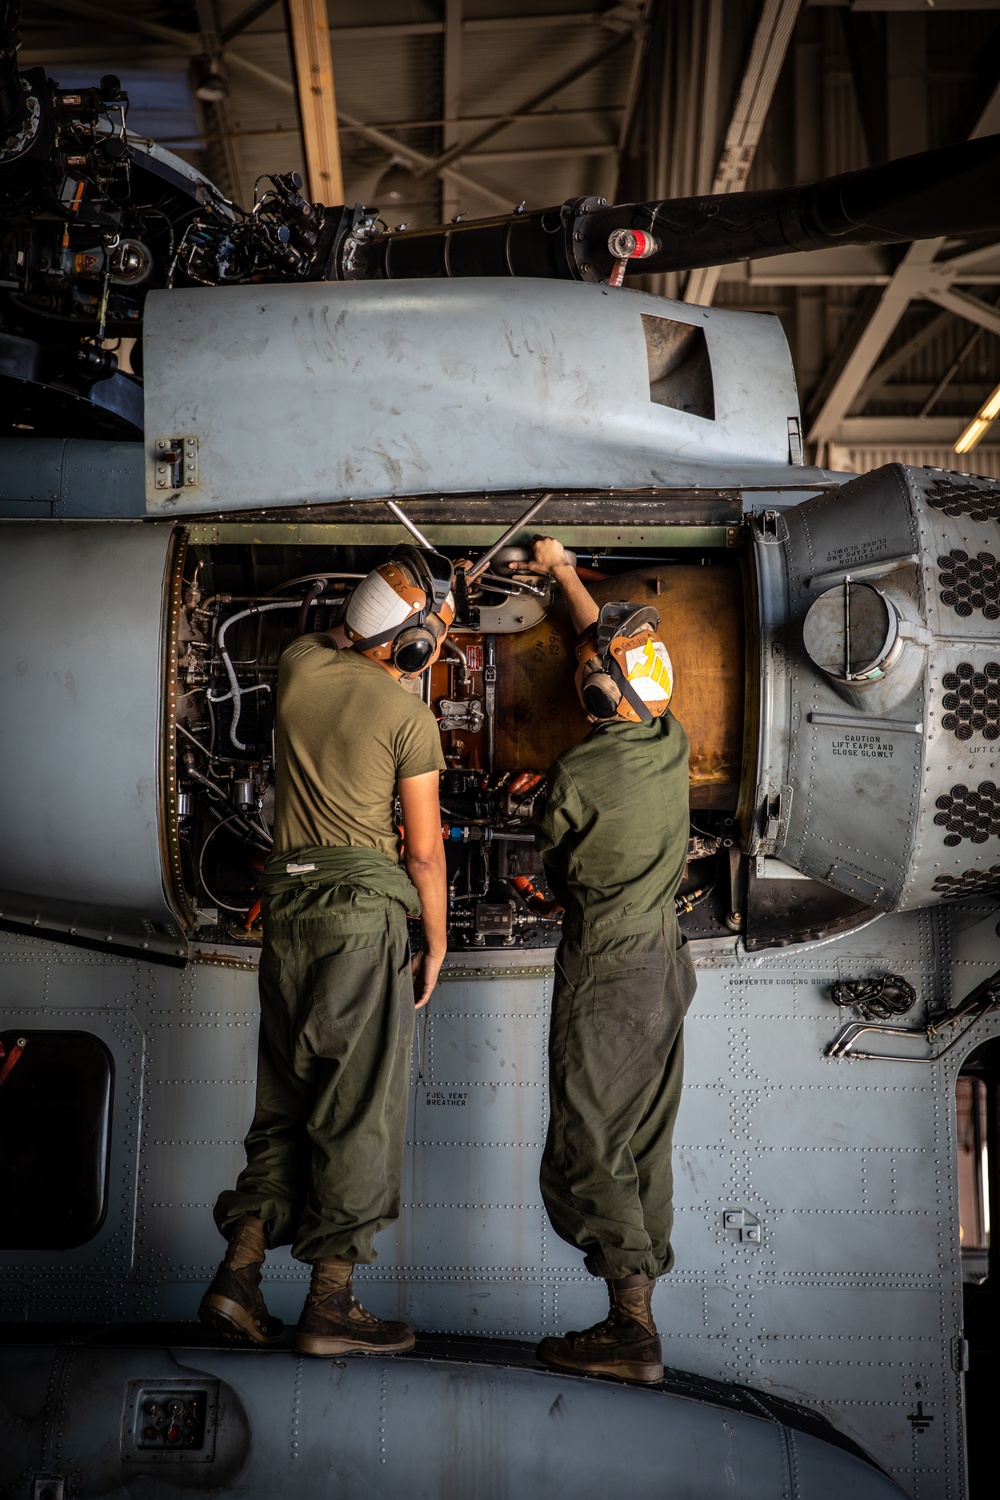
(326, 1145)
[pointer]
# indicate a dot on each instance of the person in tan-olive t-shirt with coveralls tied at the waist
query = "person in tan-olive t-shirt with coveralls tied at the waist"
(326, 1147)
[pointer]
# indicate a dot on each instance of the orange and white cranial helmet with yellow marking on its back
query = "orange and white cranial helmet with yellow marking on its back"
(624, 671)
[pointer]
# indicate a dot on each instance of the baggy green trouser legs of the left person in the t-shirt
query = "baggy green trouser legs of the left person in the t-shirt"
(326, 1148)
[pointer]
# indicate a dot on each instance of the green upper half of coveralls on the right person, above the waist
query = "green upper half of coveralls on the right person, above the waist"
(614, 832)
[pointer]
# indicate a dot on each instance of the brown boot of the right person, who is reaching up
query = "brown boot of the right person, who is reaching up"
(626, 1345)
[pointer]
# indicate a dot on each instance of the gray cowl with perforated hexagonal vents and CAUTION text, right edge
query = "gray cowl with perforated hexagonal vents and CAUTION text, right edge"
(861, 772)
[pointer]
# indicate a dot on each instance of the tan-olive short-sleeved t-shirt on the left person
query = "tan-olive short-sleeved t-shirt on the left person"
(347, 734)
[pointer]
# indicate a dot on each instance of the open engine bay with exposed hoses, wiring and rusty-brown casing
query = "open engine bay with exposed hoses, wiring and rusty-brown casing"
(503, 695)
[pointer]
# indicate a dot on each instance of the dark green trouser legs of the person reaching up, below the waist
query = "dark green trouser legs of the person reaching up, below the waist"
(615, 1073)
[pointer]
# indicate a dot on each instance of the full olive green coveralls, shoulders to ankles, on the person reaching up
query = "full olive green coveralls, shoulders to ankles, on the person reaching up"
(614, 839)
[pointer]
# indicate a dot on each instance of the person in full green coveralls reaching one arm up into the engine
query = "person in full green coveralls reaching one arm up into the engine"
(614, 839)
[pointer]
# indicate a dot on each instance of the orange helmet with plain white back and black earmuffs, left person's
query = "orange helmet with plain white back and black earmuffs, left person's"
(403, 610)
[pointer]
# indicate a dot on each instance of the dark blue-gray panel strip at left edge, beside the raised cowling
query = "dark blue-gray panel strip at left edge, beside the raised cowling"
(65, 478)
